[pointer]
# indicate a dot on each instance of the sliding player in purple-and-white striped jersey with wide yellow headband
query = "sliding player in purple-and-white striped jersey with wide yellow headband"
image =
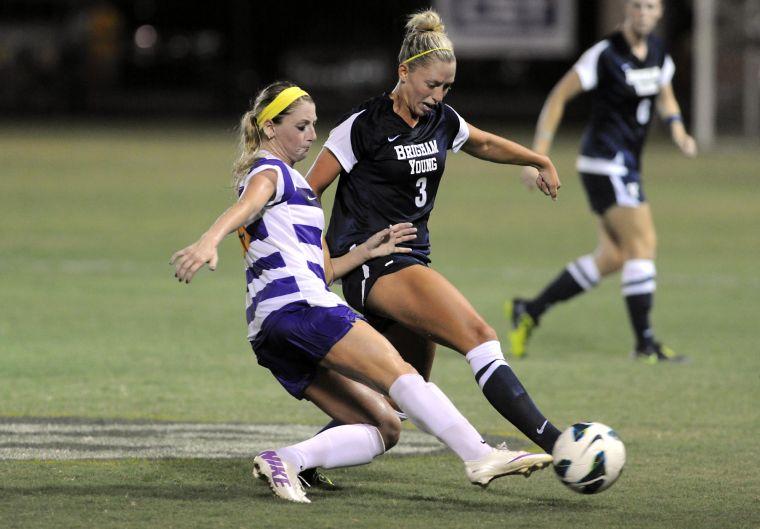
(310, 340)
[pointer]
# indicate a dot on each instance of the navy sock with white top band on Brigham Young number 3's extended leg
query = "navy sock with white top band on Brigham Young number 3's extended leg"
(508, 396)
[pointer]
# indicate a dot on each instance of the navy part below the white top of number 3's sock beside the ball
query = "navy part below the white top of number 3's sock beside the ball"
(508, 396)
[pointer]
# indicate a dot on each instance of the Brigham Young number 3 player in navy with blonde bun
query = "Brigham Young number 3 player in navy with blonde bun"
(389, 155)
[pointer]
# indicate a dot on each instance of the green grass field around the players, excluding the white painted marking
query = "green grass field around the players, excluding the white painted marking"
(92, 325)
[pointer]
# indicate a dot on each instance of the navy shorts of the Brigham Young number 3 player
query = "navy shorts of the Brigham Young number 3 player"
(358, 282)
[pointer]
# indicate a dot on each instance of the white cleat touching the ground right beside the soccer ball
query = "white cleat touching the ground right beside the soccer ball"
(504, 462)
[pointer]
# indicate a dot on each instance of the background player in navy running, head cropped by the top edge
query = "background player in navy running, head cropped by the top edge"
(629, 76)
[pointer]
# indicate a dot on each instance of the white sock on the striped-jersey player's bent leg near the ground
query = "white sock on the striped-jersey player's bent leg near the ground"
(342, 446)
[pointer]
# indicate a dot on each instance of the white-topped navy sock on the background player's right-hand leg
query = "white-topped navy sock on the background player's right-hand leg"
(638, 286)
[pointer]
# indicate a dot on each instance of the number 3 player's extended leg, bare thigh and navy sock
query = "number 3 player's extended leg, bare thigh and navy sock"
(423, 300)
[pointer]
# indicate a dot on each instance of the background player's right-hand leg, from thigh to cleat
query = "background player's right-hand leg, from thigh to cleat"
(633, 229)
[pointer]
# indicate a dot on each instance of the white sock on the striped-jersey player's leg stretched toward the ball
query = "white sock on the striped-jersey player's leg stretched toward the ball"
(432, 412)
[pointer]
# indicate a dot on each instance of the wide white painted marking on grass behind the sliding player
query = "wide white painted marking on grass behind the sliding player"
(60, 439)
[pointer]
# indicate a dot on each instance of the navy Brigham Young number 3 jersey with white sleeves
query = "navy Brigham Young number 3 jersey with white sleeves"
(390, 171)
